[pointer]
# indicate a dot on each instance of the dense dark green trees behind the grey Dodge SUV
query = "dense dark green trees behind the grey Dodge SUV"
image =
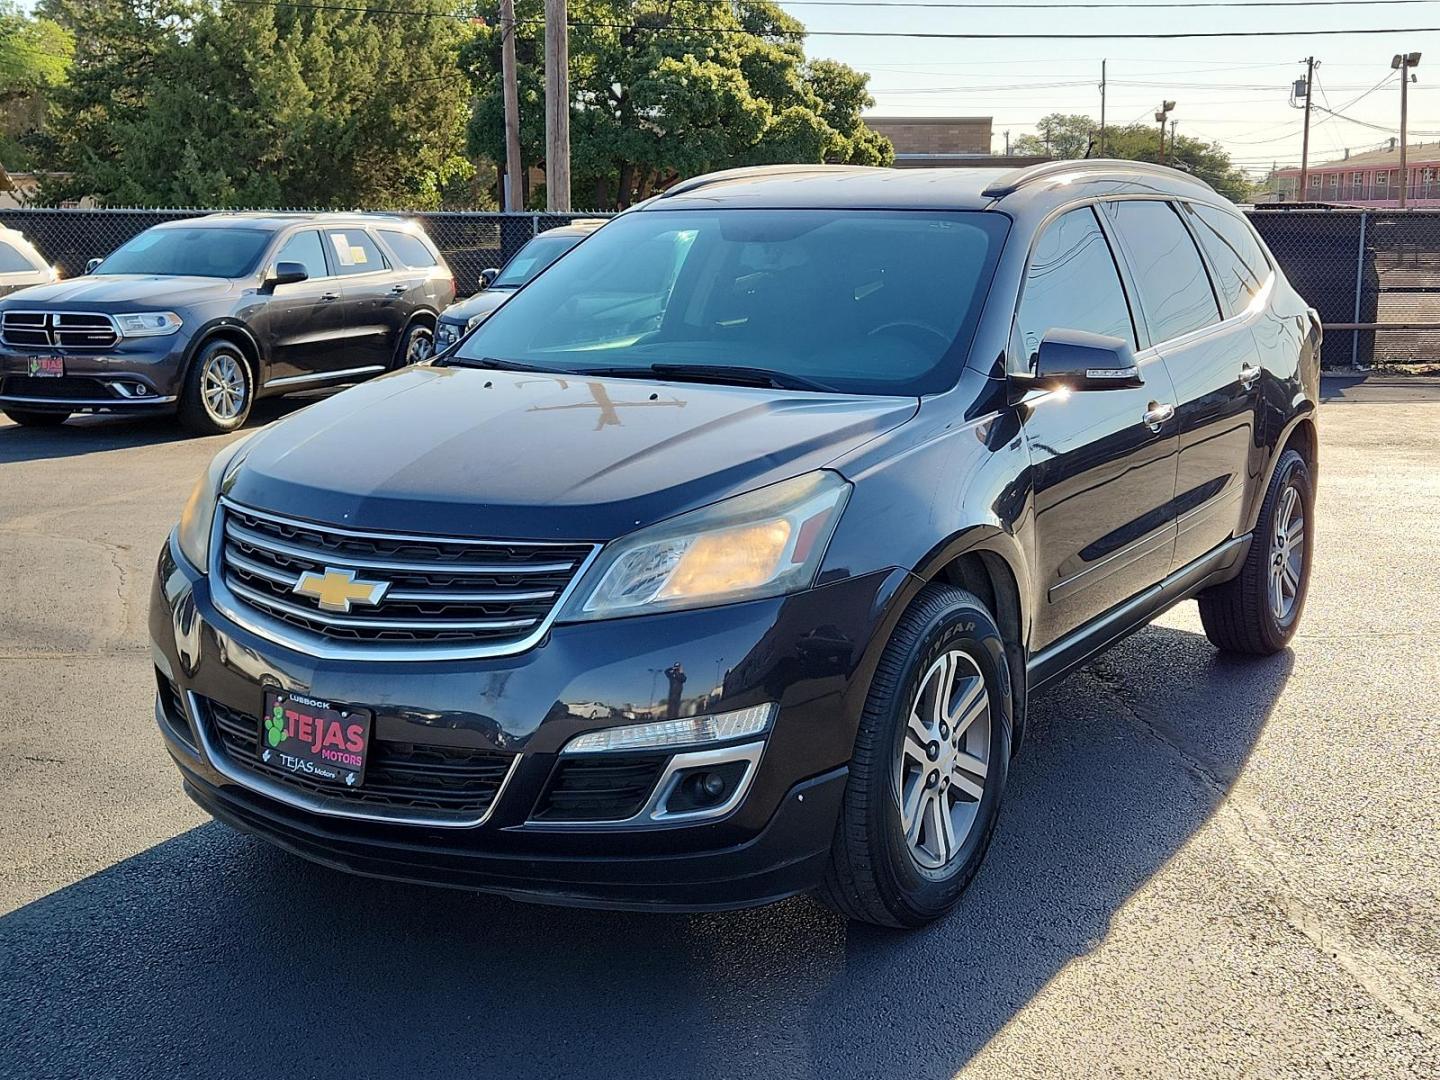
(210, 103)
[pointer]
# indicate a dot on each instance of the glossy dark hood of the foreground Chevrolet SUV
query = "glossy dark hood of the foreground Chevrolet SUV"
(519, 456)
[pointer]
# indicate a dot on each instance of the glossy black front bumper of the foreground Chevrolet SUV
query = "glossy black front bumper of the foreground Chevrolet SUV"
(811, 654)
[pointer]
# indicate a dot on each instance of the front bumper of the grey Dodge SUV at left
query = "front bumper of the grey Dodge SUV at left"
(136, 375)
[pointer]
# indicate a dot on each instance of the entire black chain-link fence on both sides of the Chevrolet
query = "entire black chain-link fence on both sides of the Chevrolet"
(1374, 276)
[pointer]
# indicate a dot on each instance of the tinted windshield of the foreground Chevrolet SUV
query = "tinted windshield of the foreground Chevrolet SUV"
(863, 302)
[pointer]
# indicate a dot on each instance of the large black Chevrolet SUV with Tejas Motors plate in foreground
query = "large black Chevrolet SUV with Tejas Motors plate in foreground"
(722, 562)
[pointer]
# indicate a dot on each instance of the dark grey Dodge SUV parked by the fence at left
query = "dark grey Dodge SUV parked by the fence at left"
(207, 315)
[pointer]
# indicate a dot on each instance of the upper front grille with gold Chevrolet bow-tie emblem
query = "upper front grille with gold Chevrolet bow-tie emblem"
(440, 594)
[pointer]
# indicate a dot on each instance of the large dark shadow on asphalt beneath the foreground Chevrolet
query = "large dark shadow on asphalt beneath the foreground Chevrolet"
(215, 955)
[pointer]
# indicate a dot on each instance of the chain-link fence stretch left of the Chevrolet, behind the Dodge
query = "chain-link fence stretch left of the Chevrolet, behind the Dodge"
(470, 241)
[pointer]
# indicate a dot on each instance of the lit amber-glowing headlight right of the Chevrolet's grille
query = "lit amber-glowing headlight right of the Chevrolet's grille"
(764, 544)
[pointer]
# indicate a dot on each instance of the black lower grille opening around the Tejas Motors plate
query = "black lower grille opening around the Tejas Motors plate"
(456, 783)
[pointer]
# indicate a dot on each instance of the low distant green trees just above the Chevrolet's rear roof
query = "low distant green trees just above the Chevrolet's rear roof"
(1074, 136)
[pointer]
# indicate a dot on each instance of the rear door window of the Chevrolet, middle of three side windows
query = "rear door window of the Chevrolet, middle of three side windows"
(1170, 277)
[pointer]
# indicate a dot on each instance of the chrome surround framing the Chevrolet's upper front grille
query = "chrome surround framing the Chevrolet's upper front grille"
(325, 649)
